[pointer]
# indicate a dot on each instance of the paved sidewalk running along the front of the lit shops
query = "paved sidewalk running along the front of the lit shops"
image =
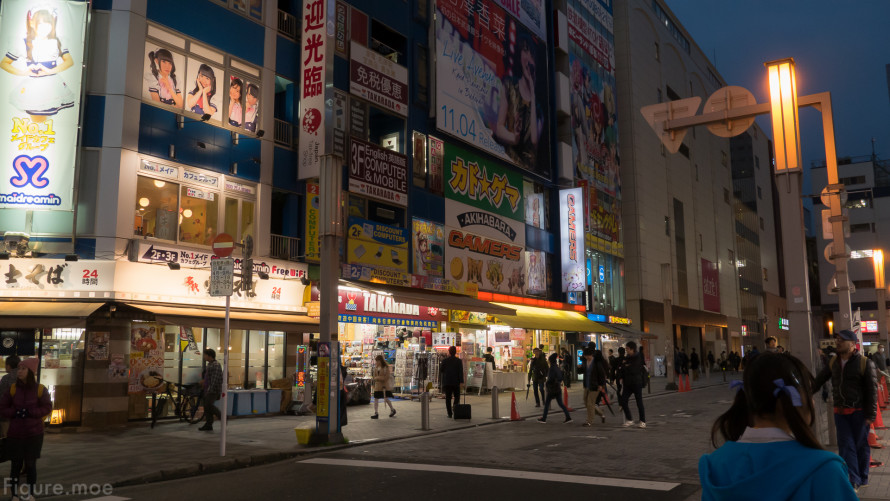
(138, 454)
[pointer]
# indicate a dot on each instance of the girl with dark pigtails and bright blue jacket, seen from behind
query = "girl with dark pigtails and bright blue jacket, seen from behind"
(769, 449)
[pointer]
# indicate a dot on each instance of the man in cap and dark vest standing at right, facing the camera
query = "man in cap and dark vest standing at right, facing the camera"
(855, 391)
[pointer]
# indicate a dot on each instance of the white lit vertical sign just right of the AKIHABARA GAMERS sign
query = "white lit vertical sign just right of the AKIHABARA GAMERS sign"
(571, 232)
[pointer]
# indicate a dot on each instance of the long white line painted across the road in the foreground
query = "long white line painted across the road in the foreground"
(493, 472)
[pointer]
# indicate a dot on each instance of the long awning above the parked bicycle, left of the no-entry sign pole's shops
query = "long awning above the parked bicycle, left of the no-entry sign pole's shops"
(238, 319)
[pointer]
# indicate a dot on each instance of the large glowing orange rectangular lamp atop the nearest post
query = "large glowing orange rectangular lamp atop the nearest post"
(783, 110)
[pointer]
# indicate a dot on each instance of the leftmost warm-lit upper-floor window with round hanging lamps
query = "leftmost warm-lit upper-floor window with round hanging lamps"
(156, 203)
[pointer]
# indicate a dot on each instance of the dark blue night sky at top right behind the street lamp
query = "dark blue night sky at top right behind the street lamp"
(841, 47)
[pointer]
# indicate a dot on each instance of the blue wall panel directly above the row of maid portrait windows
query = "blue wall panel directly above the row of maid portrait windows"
(220, 27)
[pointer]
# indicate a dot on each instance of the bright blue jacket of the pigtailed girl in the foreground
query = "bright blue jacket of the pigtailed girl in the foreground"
(775, 470)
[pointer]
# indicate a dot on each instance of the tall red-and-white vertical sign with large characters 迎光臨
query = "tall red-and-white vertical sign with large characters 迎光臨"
(314, 76)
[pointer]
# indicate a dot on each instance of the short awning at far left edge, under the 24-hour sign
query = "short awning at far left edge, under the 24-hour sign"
(45, 314)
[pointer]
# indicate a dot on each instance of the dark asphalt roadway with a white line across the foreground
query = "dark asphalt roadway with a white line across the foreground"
(521, 460)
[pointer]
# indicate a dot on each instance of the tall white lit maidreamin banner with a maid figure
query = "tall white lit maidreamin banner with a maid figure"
(40, 82)
